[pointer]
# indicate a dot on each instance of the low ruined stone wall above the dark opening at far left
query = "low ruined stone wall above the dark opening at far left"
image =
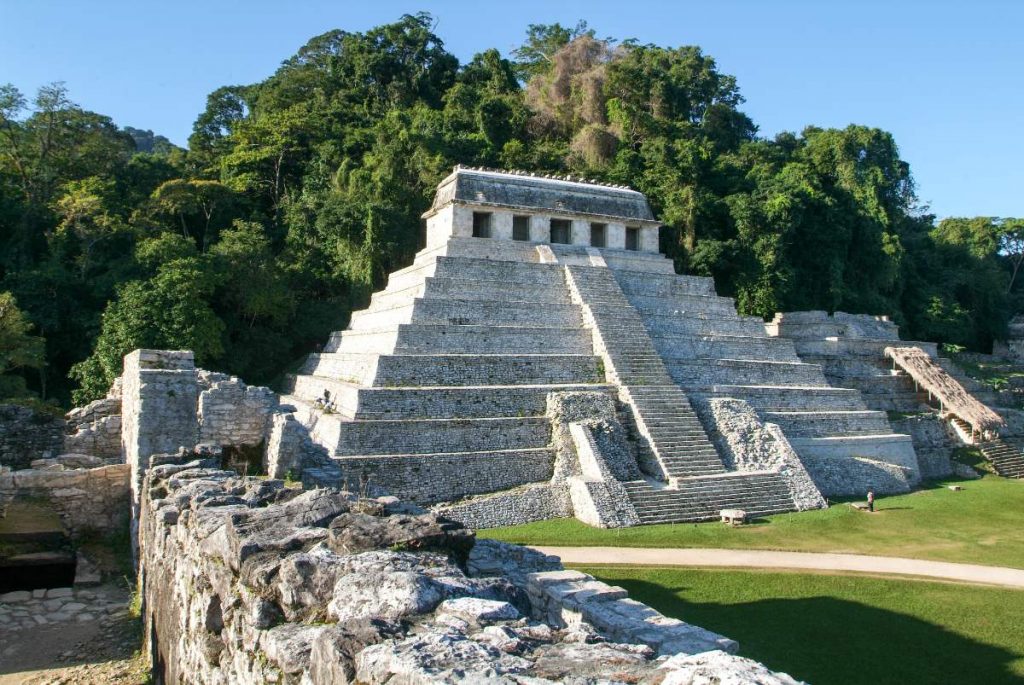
(89, 499)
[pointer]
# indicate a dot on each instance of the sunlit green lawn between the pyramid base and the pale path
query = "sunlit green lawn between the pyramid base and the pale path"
(984, 525)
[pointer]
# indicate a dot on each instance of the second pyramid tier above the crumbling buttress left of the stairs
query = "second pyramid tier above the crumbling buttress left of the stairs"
(449, 339)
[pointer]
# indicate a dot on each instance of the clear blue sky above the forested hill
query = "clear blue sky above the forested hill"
(945, 77)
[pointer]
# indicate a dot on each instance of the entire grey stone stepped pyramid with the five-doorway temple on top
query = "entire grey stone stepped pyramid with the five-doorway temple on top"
(540, 359)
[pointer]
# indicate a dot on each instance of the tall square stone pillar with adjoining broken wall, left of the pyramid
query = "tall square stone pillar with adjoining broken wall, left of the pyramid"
(159, 411)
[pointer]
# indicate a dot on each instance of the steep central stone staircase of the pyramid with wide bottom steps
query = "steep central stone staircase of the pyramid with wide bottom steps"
(699, 485)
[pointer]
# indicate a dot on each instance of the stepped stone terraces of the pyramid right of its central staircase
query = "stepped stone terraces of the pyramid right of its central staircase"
(712, 352)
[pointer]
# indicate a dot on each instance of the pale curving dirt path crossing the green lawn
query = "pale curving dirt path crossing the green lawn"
(1000, 576)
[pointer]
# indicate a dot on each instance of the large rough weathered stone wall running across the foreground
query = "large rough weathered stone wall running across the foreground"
(246, 581)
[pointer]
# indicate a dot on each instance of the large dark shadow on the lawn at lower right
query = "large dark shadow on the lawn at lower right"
(829, 641)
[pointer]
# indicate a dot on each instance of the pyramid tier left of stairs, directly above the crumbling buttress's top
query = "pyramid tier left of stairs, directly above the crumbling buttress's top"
(454, 370)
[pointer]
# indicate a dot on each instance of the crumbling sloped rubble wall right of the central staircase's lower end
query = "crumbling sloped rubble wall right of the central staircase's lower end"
(749, 445)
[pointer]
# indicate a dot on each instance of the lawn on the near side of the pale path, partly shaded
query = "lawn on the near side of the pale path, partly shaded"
(829, 629)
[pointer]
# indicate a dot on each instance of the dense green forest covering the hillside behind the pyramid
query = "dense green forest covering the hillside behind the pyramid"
(300, 194)
